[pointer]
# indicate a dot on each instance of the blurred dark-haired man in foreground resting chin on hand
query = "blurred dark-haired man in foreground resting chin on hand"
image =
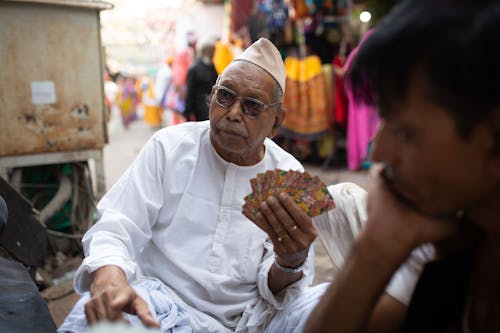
(434, 67)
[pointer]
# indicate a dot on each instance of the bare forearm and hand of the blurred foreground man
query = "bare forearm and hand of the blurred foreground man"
(356, 302)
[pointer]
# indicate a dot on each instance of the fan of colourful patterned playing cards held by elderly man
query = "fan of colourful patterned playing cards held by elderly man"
(309, 192)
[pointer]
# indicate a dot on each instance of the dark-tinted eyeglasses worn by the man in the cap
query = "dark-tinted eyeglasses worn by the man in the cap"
(251, 107)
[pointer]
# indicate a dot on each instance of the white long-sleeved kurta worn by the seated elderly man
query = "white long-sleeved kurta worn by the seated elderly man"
(175, 215)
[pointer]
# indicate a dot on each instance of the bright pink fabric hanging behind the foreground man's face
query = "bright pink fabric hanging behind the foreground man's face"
(362, 121)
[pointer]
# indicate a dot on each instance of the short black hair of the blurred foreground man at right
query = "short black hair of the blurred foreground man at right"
(455, 42)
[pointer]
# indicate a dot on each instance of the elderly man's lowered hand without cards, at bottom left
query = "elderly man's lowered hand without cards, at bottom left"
(112, 295)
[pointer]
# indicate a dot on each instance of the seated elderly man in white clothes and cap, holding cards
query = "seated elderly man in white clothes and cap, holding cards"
(172, 246)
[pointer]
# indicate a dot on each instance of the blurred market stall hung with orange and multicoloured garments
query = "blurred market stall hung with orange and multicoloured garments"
(315, 39)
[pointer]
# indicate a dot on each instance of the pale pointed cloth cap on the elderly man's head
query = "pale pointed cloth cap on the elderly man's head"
(264, 54)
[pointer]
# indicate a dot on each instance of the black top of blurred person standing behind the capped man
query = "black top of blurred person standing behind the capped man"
(200, 80)
